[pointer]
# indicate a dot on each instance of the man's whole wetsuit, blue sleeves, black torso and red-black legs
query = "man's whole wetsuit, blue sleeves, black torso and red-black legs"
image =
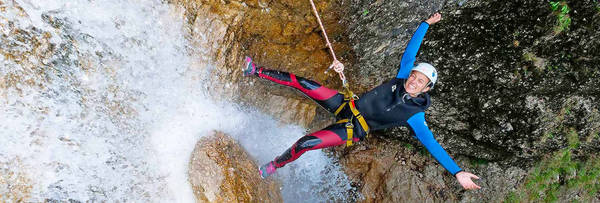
(387, 105)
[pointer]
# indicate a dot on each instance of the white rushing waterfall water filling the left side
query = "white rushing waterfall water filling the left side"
(97, 103)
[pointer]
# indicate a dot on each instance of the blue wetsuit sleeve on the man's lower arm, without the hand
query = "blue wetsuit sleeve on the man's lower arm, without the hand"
(419, 126)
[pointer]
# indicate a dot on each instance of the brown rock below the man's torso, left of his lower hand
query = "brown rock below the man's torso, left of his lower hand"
(386, 171)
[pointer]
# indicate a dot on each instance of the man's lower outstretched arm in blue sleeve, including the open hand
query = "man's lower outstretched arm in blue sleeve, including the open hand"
(419, 126)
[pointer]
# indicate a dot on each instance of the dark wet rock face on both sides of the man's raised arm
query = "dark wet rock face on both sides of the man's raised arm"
(506, 76)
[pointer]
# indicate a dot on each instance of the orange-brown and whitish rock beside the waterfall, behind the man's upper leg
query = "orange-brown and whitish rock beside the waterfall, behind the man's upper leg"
(282, 35)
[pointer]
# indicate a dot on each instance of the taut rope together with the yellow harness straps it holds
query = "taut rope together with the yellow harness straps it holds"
(349, 96)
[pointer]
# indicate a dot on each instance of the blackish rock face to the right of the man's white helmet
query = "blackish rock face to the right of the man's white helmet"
(509, 77)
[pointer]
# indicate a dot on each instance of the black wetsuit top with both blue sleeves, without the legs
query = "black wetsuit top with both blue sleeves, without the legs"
(388, 105)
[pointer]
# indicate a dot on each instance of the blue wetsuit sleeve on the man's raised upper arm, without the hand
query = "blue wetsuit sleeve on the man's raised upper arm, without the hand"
(410, 53)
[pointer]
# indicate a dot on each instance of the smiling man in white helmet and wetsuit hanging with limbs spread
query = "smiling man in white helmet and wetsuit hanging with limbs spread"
(401, 101)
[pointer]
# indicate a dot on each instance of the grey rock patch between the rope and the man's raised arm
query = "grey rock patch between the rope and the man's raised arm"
(378, 32)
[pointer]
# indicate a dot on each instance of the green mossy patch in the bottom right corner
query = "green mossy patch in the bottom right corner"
(560, 174)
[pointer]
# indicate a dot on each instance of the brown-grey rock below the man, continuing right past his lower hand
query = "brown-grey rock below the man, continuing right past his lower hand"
(386, 170)
